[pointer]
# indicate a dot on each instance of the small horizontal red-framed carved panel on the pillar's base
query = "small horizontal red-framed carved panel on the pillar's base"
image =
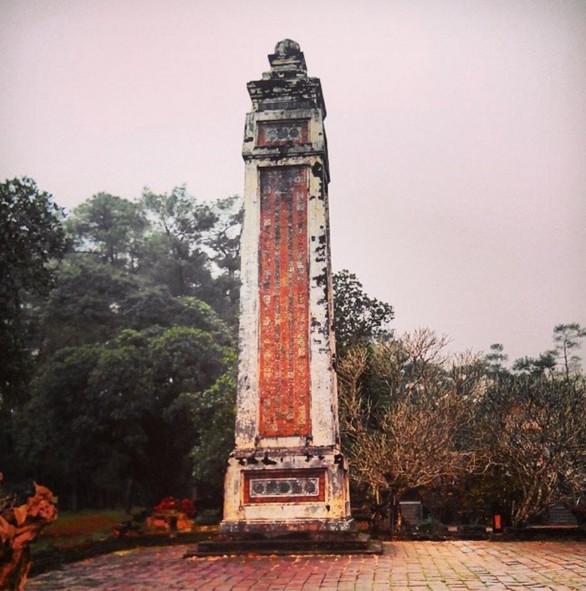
(284, 486)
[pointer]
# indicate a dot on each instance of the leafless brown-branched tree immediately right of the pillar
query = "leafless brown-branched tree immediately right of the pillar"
(408, 414)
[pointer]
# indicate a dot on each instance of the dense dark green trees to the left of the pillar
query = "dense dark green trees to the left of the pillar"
(137, 325)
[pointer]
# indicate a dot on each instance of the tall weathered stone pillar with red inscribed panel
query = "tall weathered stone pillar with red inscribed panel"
(287, 472)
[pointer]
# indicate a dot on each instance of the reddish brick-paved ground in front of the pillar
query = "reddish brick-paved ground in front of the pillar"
(405, 566)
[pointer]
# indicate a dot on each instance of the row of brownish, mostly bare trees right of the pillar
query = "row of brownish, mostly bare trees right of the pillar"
(465, 433)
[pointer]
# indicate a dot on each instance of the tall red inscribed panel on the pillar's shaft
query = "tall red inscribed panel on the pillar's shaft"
(284, 384)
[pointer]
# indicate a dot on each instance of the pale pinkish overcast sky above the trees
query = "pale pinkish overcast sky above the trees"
(456, 129)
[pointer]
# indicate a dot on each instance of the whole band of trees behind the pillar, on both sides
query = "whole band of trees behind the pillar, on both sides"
(118, 380)
